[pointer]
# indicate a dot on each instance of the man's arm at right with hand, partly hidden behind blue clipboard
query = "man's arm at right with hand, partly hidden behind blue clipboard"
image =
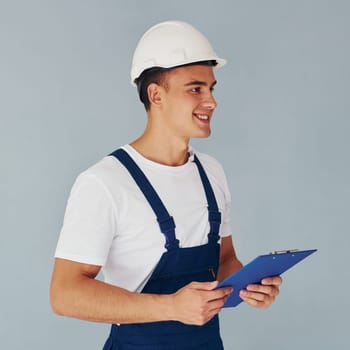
(257, 295)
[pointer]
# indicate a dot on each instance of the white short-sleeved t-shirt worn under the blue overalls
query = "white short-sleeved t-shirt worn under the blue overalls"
(109, 223)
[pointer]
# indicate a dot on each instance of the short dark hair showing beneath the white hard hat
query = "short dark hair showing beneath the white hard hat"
(158, 75)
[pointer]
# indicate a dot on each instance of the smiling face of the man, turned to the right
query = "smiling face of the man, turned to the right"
(188, 102)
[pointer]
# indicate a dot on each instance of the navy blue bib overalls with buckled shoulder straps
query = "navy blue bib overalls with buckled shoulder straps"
(176, 268)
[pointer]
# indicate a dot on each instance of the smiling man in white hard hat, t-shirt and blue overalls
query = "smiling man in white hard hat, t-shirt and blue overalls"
(152, 214)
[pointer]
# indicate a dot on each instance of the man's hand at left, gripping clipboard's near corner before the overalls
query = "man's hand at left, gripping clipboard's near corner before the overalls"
(199, 302)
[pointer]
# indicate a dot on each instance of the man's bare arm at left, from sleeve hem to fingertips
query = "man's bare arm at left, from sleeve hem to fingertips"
(76, 293)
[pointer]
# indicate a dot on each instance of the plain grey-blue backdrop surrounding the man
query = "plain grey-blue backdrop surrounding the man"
(281, 132)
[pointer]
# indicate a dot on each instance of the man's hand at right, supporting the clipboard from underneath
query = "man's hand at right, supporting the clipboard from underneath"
(262, 295)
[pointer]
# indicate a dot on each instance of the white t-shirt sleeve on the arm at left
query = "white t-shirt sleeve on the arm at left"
(89, 223)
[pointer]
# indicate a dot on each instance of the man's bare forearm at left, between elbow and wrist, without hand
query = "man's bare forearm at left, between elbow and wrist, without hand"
(89, 299)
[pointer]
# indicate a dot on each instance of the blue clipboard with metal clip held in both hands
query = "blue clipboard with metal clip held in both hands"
(273, 264)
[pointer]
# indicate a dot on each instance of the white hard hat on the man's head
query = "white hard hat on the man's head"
(170, 44)
